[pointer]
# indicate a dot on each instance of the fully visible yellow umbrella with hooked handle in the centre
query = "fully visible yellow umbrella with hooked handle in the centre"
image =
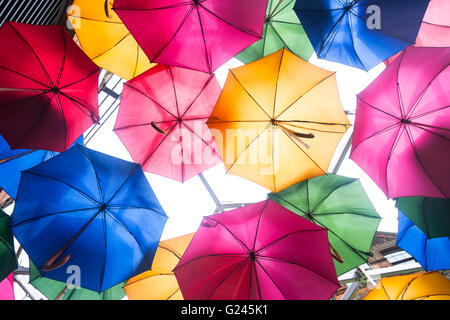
(277, 128)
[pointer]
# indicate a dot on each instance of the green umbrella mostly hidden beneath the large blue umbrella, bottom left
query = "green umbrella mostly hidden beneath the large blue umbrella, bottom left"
(57, 290)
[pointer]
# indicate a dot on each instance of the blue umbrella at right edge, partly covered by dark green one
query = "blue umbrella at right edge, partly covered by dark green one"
(431, 254)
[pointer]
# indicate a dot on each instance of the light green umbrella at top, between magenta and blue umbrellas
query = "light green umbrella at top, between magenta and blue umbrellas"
(282, 29)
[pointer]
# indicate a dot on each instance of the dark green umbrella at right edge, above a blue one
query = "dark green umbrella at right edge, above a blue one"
(431, 215)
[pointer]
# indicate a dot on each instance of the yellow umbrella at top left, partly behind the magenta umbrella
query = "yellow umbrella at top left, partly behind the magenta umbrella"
(106, 40)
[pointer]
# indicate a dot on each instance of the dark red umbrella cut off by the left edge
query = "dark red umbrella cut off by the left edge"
(48, 87)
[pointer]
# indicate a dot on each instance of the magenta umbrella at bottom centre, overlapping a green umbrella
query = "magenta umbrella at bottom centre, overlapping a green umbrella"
(260, 251)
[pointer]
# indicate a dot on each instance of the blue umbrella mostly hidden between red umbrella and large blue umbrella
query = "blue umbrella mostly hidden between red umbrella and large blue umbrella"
(13, 161)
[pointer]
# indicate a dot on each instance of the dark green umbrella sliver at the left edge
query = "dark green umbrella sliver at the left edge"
(8, 260)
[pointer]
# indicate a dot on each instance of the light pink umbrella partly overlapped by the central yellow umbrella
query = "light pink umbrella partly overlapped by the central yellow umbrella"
(162, 121)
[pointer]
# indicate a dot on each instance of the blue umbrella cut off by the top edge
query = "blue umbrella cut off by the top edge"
(360, 33)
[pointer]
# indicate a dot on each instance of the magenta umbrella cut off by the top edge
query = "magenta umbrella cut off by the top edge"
(196, 34)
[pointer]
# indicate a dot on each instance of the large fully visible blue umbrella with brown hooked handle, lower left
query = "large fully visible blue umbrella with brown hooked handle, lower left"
(94, 214)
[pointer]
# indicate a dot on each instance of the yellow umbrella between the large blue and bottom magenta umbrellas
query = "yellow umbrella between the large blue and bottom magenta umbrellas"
(160, 282)
